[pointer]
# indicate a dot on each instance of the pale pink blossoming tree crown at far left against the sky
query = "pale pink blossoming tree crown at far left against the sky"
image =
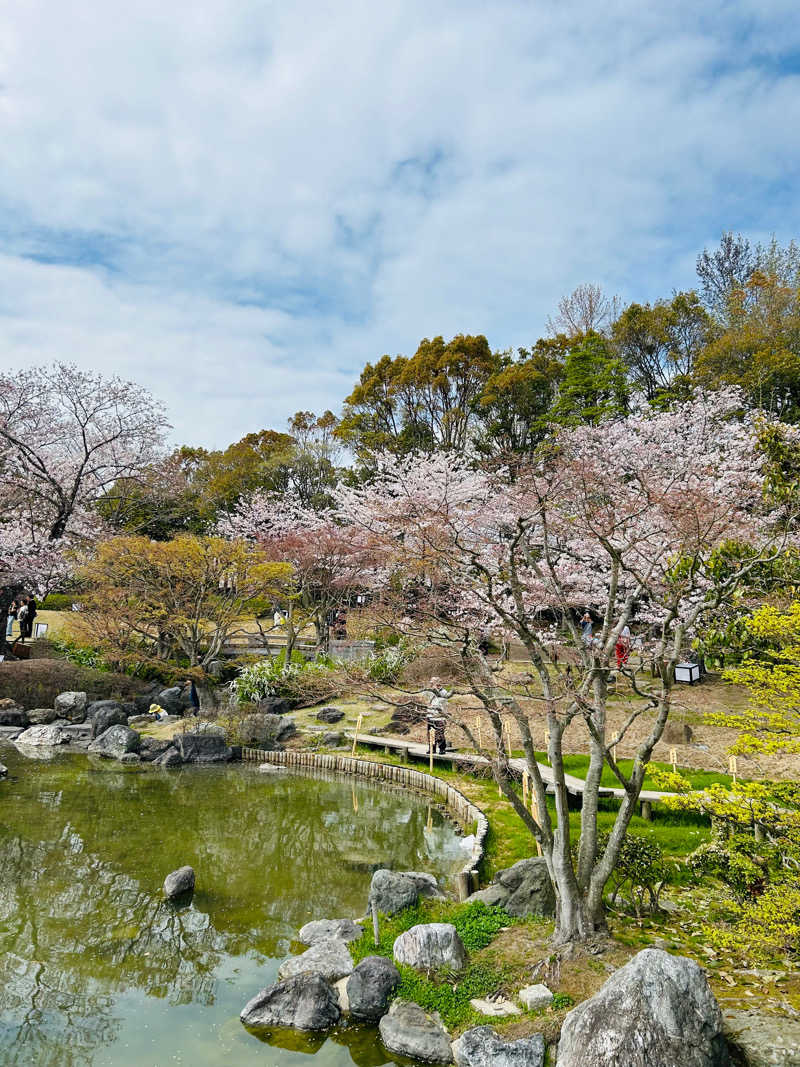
(67, 436)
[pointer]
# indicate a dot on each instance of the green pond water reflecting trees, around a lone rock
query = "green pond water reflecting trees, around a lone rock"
(97, 969)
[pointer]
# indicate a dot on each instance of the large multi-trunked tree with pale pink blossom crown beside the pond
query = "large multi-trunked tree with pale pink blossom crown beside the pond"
(632, 519)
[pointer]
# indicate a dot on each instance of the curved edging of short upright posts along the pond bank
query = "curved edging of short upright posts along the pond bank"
(468, 815)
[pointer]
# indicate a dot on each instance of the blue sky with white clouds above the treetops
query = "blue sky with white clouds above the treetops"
(238, 203)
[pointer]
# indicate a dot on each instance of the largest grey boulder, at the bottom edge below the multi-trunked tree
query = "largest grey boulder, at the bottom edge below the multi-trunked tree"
(655, 1012)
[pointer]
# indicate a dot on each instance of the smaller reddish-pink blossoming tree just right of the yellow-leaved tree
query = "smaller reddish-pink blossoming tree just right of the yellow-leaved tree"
(329, 558)
